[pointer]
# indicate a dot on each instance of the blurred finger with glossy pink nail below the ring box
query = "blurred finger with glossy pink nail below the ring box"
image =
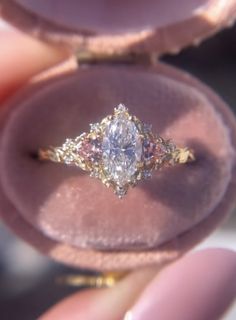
(199, 286)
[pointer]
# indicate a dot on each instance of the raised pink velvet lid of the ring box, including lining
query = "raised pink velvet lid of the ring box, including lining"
(116, 27)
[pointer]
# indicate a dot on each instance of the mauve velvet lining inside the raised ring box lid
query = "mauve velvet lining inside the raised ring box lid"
(114, 16)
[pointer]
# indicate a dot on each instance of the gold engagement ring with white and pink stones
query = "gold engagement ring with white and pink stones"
(120, 151)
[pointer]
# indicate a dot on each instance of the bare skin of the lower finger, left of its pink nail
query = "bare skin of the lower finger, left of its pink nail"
(102, 304)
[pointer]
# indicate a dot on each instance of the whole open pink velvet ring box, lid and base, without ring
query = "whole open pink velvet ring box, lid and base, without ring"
(63, 212)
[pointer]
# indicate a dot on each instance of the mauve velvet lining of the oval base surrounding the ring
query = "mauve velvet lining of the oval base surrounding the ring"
(68, 206)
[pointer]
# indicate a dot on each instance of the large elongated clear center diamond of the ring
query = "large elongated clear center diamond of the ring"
(121, 148)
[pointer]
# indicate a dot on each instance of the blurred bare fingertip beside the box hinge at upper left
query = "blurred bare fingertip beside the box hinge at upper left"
(21, 57)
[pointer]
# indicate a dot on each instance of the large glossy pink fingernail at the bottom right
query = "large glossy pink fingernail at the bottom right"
(199, 286)
